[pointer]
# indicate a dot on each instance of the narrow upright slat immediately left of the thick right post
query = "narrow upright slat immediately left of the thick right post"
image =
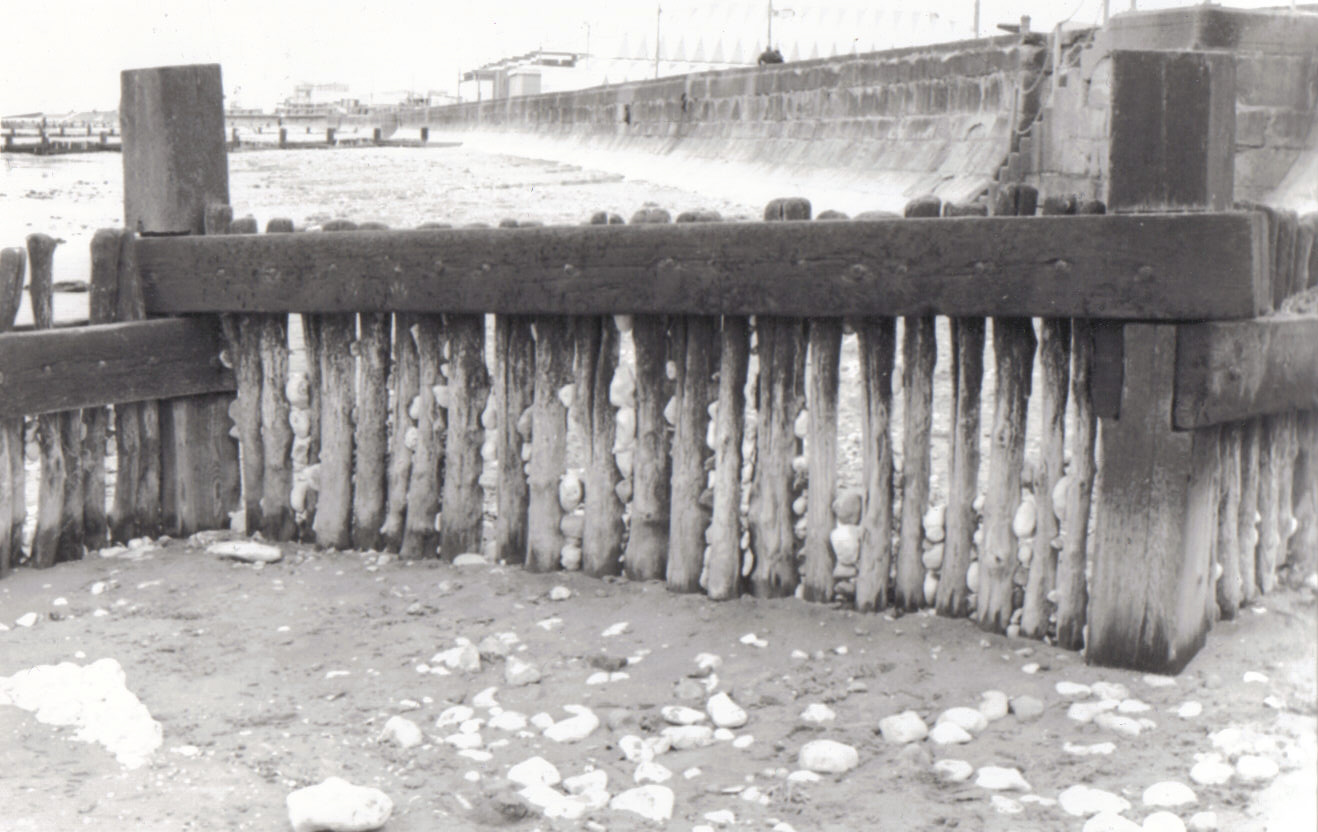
(1072, 583)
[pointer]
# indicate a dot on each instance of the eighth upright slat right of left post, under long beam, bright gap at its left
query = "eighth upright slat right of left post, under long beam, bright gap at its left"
(516, 383)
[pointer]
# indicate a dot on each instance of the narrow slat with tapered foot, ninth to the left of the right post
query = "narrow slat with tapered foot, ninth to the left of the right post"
(724, 565)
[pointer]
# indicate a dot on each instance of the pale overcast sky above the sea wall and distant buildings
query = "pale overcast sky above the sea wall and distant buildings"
(67, 55)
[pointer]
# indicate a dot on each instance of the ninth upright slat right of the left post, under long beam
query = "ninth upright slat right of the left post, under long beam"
(549, 444)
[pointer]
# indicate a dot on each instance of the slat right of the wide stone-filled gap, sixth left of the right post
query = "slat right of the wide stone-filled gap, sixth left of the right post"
(878, 347)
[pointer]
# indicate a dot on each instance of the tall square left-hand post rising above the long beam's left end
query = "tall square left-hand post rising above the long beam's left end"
(175, 167)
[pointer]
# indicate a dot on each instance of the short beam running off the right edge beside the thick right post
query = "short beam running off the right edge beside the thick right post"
(1229, 371)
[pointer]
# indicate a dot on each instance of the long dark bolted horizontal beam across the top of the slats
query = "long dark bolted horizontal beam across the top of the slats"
(1149, 267)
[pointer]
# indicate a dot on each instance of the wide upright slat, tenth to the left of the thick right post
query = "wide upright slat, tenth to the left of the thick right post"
(695, 341)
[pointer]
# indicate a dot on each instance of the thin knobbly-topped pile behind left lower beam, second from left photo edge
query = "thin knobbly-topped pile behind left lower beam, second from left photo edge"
(57, 536)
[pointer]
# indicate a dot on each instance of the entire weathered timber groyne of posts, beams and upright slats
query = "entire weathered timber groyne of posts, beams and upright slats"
(662, 399)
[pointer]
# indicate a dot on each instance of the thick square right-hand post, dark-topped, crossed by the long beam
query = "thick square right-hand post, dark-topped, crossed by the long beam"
(1151, 591)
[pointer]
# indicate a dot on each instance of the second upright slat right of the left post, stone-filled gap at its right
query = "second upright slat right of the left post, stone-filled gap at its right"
(277, 520)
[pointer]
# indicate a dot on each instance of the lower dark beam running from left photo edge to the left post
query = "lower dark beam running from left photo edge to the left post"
(88, 367)
